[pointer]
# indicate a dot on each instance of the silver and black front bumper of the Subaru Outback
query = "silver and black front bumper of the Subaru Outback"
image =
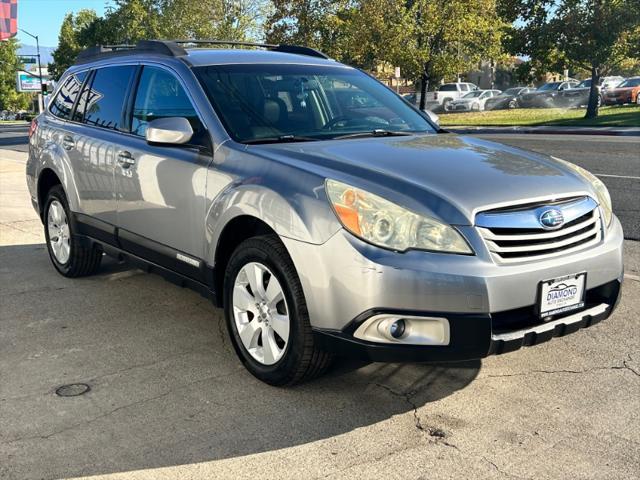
(346, 281)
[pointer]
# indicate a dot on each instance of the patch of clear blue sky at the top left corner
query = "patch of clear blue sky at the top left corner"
(44, 17)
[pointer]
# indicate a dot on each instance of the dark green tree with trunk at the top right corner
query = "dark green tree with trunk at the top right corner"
(595, 35)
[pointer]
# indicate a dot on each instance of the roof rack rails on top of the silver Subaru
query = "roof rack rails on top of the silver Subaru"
(174, 48)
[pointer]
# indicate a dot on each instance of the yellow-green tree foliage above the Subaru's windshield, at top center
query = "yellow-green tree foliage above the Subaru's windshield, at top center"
(428, 39)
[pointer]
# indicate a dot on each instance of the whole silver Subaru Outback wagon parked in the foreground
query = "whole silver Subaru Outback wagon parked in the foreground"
(324, 213)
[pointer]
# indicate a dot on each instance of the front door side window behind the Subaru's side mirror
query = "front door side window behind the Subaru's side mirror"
(160, 95)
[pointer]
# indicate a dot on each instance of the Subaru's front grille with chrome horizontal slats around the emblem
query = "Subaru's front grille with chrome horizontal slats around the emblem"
(528, 241)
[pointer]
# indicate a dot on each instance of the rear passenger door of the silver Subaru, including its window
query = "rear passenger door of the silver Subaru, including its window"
(97, 124)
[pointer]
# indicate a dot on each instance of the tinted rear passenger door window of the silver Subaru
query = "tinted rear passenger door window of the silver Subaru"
(106, 96)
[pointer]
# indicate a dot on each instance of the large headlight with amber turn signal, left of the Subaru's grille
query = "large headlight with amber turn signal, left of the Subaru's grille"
(388, 225)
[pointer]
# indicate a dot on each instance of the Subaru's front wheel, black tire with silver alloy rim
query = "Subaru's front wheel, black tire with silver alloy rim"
(262, 347)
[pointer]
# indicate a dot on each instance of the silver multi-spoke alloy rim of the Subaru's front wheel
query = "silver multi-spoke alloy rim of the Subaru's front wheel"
(260, 313)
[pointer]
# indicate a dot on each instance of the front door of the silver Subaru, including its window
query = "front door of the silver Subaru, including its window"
(161, 188)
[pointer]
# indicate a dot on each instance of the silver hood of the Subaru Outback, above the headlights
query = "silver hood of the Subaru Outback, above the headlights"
(448, 176)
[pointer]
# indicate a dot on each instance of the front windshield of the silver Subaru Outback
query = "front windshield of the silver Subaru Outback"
(275, 101)
